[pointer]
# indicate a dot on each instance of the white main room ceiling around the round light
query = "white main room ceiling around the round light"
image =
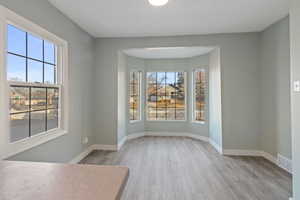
(137, 18)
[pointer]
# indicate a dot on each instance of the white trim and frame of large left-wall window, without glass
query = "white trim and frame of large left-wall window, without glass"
(8, 149)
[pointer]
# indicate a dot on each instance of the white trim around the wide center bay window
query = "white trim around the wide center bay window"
(185, 96)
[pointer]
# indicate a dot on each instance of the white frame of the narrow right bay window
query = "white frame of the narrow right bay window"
(194, 96)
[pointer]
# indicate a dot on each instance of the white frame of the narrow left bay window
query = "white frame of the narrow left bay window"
(140, 96)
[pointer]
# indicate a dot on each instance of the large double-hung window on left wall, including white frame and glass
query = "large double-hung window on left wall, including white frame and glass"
(35, 70)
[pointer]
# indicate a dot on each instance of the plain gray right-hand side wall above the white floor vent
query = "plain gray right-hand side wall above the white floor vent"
(275, 90)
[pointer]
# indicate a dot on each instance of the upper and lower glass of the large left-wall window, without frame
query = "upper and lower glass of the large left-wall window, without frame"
(30, 59)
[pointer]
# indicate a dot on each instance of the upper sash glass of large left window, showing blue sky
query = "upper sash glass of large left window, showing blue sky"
(30, 58)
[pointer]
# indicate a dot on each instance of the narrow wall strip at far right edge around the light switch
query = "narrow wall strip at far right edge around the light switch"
(295, 68)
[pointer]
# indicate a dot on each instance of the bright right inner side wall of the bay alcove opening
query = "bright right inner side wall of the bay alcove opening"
(215, 98)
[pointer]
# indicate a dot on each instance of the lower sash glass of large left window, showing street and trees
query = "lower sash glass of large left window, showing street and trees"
(33, 110)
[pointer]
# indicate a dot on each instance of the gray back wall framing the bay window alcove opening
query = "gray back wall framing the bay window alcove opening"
(240, 83)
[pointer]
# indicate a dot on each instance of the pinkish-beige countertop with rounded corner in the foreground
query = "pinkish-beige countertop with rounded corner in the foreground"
(49, 181)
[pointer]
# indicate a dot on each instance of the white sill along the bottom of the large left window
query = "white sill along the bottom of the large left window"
(34, 141)
